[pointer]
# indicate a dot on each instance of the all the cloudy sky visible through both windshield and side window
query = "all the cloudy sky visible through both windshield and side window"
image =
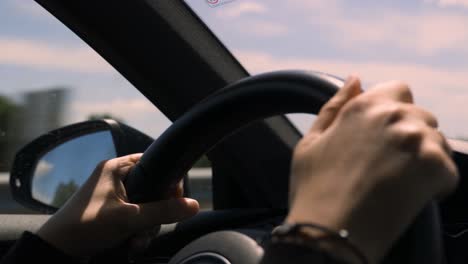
(422, 42)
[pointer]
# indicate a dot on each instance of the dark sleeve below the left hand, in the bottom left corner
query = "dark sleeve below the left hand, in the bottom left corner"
(31, 248)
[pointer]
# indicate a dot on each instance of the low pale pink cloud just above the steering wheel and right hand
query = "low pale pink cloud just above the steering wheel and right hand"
(441, 90)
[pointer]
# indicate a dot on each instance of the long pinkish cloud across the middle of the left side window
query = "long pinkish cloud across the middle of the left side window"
(42, 55)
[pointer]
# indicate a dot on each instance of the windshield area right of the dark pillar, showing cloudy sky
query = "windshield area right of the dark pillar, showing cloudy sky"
(423, 42)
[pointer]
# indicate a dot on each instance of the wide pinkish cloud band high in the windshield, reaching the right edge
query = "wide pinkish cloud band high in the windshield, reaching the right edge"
(424, 34)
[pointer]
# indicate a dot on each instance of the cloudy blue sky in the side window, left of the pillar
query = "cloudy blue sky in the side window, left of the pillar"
(38, 52)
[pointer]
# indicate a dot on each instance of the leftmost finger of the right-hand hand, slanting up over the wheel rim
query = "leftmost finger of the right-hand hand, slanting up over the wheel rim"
(327, 114)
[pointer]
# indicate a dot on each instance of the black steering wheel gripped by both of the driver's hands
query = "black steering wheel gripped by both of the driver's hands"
(168, 159)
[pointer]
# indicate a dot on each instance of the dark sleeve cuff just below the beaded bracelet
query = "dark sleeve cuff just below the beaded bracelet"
(281, 253)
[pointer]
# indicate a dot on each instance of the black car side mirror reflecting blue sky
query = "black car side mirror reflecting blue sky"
(48, 171)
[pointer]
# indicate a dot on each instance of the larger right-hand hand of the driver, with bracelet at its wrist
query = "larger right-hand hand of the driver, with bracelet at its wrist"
(369, 164)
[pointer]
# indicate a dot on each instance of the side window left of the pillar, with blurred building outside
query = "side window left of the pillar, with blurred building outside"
(50, 78)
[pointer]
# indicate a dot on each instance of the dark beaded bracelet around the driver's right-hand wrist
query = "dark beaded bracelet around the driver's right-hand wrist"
(292, 233)
